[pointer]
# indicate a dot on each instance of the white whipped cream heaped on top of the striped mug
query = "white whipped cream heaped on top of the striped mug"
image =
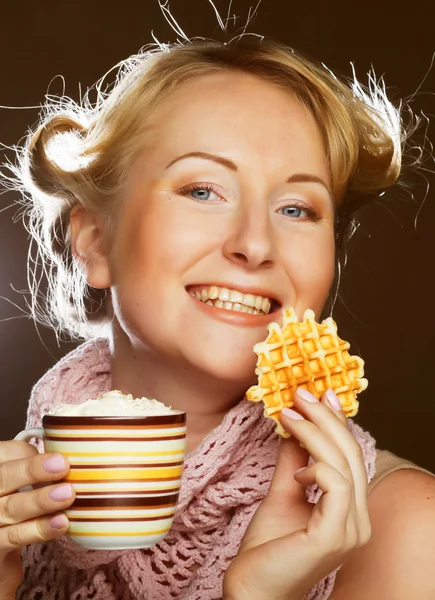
(113, 404)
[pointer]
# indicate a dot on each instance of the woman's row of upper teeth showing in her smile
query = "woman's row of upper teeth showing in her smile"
(233, 300)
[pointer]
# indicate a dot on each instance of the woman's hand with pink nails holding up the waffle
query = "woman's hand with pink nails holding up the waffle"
(290, 543)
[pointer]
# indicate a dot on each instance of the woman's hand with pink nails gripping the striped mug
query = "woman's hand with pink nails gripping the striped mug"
(32, 516)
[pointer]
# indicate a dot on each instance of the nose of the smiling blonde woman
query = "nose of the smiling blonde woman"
(250, 240)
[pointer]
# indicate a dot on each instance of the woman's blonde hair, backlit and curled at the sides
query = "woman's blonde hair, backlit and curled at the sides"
(80, 153)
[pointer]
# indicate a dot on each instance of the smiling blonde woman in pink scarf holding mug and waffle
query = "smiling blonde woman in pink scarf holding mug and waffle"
(237, 167)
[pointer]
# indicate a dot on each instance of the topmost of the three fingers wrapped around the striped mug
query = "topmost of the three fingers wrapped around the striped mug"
(16, 474)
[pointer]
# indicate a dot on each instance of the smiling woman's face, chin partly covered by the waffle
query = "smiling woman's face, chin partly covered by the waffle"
(228, 217)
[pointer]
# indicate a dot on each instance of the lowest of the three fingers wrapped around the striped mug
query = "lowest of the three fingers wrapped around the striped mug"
(32, 532)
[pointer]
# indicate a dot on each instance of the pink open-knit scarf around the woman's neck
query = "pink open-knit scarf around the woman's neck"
(224, 481)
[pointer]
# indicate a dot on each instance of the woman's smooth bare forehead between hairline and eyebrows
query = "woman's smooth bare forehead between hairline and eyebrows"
(239, 114)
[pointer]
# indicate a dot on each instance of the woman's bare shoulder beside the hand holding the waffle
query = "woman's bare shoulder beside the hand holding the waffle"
(398, 561)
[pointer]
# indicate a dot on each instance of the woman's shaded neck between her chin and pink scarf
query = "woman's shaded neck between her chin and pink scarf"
(142, 373)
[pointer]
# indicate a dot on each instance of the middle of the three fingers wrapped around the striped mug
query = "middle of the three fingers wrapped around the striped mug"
(17, 508)
